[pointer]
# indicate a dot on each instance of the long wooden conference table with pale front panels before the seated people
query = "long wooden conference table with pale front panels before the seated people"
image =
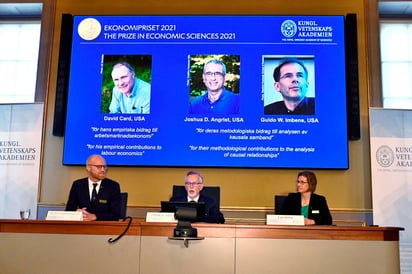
(40, 246)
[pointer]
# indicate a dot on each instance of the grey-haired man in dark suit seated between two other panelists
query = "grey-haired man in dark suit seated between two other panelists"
(194, 185)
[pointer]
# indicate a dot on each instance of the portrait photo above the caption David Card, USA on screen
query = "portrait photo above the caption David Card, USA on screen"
(126, 84)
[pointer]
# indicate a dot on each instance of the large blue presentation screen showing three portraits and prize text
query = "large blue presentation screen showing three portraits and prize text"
(208, 91)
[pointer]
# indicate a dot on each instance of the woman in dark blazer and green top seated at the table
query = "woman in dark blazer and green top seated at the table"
(305, 202)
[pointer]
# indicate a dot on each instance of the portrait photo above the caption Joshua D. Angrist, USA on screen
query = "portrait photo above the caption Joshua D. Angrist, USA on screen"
(218, 91)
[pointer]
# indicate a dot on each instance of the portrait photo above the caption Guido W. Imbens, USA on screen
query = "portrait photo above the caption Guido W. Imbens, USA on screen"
(288, 92)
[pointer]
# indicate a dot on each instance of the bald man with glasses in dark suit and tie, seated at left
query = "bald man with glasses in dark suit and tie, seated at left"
(103, 204)
